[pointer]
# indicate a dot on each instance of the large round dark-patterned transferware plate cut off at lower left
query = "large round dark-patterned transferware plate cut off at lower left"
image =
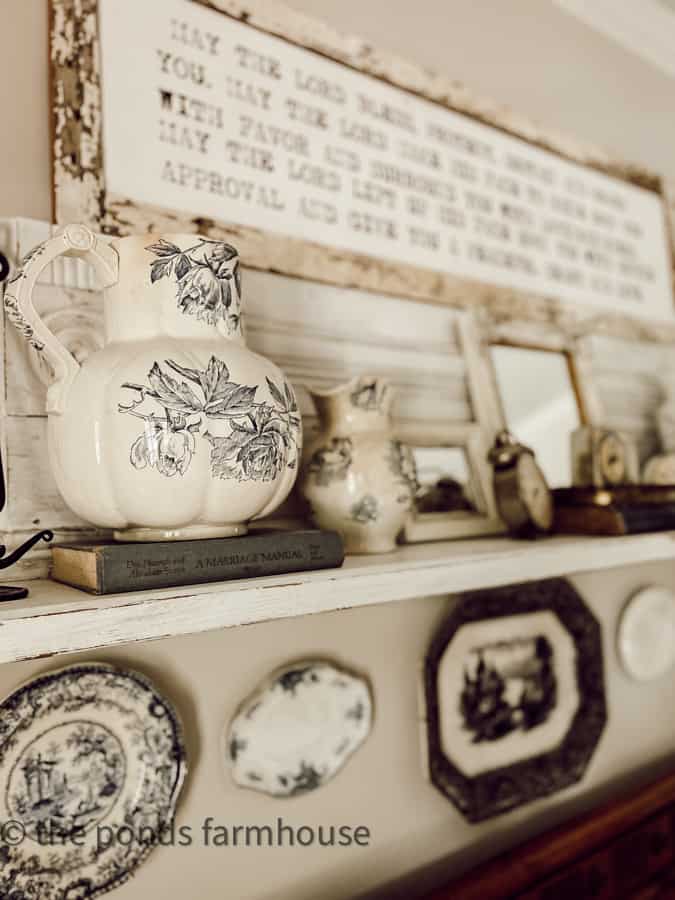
(92, 763)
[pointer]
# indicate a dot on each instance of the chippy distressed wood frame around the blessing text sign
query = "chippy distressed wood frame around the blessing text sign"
(80, 192)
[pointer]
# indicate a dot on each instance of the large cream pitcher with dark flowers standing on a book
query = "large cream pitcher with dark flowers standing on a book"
(174, 430)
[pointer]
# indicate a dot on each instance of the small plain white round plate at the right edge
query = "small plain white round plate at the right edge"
(646, 638)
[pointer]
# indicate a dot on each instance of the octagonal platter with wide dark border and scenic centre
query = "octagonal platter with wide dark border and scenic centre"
(514, 696)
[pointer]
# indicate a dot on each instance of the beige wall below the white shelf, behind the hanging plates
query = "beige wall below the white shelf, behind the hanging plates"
(383, 787)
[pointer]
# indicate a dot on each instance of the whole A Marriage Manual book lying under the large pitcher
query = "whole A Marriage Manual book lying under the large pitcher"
(111, 568)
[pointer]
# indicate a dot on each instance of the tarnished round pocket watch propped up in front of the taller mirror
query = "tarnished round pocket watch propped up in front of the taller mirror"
(523, 497)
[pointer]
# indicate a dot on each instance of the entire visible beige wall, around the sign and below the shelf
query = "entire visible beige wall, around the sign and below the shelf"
(526, 54)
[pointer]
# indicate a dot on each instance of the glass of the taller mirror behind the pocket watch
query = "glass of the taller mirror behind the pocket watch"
(540, 406)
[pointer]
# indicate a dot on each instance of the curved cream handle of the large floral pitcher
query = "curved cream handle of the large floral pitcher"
(74, 240)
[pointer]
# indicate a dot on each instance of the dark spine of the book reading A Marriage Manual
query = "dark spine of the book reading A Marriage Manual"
(199, 562)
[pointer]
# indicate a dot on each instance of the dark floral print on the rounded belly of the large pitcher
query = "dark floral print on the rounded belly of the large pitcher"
(262, 438)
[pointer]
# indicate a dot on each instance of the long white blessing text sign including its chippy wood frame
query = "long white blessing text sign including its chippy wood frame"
(268, 130)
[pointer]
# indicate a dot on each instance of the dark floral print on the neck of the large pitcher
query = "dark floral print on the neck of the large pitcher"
(208, 279)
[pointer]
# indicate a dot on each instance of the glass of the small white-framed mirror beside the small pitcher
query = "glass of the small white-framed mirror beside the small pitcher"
(442, 480)
